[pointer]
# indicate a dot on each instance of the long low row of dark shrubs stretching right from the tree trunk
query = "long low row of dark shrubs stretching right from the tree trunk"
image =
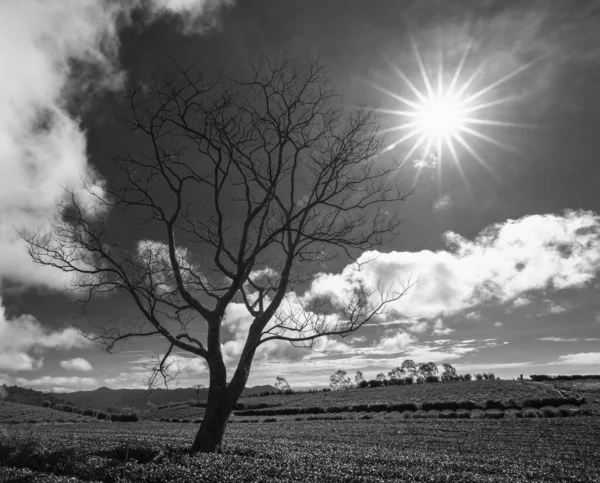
(426, 406)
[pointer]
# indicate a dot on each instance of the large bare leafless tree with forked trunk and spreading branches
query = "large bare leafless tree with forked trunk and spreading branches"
(250, 184)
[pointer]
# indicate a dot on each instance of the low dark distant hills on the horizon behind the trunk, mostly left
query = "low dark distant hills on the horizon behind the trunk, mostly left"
(104, 397)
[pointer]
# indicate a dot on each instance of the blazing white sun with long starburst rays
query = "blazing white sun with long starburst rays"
(443, 116)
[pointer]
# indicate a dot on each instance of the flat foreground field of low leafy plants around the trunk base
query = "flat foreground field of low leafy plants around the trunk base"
(437, 450)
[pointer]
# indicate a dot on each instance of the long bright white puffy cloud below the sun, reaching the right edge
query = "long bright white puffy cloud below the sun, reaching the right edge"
(501, 264)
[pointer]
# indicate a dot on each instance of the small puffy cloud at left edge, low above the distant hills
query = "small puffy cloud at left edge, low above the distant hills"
(22, 335)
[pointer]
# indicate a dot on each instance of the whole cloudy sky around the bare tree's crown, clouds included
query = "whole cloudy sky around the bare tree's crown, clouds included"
(501, 234)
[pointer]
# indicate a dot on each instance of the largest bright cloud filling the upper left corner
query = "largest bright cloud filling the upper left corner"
(57, 55)
